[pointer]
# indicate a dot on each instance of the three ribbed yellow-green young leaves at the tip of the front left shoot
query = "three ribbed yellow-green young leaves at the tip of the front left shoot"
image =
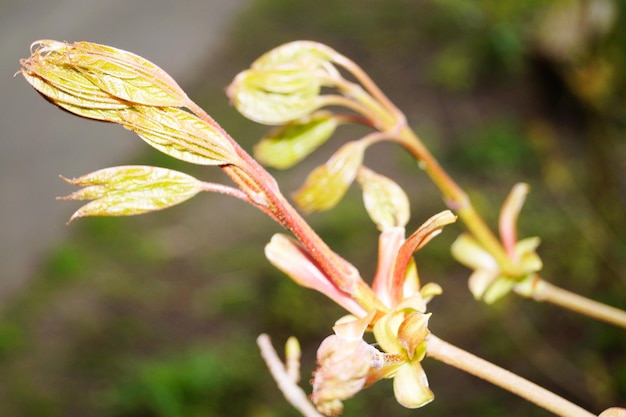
(107, 84)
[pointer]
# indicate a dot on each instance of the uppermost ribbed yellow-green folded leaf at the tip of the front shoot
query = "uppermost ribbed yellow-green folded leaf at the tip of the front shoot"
(86, 75)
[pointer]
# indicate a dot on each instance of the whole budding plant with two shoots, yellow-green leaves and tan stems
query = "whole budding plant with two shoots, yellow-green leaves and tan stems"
(291, 88)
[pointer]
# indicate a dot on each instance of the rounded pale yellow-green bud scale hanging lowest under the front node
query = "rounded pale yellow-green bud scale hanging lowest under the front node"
(410, 386)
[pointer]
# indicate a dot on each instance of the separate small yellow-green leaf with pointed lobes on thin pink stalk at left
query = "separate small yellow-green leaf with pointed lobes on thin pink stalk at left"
(130, 190)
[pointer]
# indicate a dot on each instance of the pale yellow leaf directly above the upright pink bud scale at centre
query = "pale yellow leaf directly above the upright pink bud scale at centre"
(385, 201)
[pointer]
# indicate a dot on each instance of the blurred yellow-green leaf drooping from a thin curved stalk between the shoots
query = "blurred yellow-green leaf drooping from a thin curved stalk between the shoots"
(327, 184)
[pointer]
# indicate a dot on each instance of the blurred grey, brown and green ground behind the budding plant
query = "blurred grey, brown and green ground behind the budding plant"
(157, 315)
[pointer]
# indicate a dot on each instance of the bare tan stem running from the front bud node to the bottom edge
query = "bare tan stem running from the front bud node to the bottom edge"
(465, 361)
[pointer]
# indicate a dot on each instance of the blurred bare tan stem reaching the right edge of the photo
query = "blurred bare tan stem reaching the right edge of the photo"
(543, 291)
